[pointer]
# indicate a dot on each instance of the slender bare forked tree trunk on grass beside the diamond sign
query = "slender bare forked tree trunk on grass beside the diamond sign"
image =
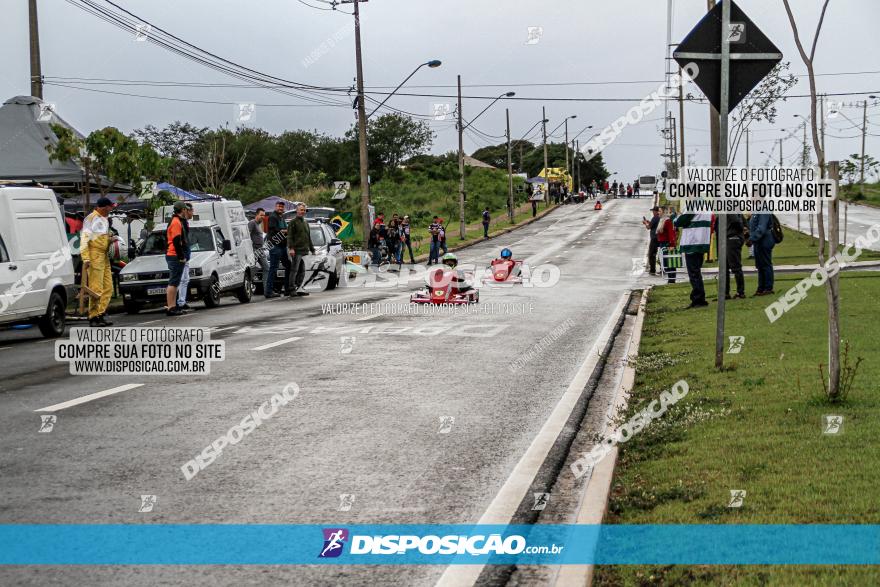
(832, 285)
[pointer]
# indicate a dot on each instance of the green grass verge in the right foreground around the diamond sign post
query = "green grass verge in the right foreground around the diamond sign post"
(755, 426)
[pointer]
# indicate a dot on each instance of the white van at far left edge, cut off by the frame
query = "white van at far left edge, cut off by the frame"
(36, 271)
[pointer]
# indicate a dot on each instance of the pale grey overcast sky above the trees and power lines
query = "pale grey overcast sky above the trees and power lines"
(589, 49)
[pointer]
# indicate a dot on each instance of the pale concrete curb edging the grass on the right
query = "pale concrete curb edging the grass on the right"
(595, 502)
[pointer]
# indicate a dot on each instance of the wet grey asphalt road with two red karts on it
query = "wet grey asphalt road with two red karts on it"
(373, 422)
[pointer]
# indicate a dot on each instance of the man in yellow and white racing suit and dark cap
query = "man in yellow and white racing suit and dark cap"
(94, 247)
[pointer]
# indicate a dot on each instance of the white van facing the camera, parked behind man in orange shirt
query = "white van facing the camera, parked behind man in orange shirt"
(221, 262)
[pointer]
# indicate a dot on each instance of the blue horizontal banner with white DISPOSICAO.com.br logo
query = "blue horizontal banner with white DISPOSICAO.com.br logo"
(259, 544)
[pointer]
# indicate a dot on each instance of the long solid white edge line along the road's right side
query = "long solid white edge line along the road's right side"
(517, 485)
